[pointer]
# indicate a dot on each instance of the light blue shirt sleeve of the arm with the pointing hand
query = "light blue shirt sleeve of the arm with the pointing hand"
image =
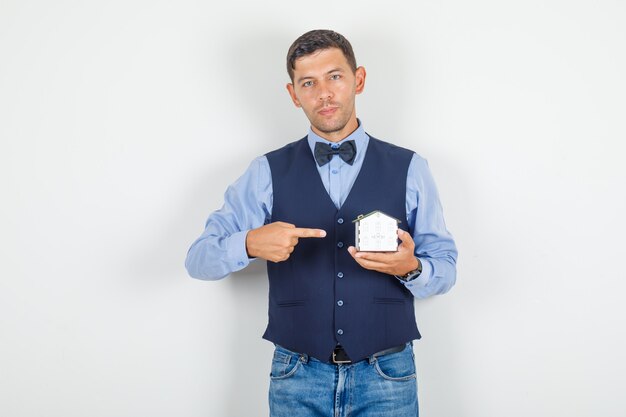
(221, 249)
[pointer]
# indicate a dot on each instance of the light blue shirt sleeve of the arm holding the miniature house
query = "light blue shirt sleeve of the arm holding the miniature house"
(434, 245)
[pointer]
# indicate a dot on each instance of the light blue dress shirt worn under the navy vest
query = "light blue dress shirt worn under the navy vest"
(221, 249)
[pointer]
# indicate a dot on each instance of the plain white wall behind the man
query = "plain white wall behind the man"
(122, 123)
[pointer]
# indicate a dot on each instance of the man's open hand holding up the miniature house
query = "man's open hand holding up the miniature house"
(393, 263)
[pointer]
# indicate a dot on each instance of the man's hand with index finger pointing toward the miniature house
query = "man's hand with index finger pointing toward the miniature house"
(275, 241)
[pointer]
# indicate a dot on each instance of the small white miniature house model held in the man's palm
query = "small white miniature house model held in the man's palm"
(376, 232)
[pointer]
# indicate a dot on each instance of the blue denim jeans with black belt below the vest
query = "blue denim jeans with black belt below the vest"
(301, 386)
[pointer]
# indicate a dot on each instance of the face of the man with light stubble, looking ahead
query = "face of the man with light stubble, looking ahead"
(325, 87)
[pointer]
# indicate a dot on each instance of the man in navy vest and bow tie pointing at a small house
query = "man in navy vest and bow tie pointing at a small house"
(342, 320)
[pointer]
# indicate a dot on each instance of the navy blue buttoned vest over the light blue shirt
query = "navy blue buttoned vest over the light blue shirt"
(320, 296)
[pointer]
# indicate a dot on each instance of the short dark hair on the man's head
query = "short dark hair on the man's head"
(316, 40)
